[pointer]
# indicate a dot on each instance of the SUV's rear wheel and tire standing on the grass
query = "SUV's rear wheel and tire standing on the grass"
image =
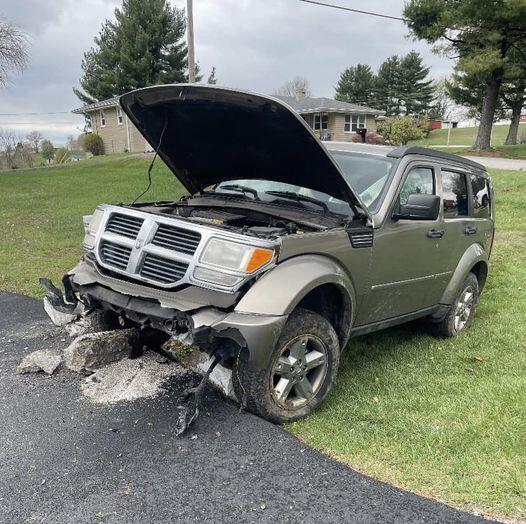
(450, 325)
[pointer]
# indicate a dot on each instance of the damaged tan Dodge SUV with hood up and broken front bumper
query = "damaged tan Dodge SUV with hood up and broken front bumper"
(284, 247)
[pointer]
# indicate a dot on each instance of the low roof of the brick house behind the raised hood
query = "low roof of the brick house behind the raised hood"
(304, 106)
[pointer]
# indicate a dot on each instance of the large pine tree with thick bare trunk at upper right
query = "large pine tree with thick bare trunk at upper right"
(481, 34)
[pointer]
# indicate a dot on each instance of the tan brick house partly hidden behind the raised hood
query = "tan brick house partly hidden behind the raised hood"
(328, 117)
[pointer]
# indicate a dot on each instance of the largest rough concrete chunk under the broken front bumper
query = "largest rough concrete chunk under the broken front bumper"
(94, 350)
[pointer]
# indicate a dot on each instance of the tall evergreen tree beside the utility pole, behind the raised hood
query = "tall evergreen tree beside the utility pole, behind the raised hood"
(143, 46)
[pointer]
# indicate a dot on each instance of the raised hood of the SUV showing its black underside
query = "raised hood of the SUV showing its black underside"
(215, 134)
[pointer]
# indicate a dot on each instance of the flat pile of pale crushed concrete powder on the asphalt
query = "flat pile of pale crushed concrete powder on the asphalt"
(128, 380)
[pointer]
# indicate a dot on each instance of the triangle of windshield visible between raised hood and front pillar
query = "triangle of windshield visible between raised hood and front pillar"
(367, 175)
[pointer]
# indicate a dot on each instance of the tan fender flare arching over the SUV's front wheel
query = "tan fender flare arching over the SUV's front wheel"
(280, 290)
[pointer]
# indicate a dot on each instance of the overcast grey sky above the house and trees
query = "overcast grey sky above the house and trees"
(254, 44)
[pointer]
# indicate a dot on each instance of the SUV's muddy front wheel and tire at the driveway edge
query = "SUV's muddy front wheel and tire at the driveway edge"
(294, 365)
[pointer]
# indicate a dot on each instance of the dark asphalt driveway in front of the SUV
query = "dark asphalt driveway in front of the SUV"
(64, 459)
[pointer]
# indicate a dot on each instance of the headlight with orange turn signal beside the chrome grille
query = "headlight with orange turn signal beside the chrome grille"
(223, 257)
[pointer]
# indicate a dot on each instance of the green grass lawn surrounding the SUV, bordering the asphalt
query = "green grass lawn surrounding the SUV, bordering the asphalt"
(443, 418)
